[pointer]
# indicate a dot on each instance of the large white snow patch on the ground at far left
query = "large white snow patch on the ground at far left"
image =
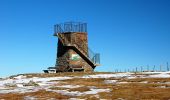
(17, 84)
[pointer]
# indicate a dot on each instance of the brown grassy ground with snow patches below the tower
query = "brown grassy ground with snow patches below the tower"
(90, 86)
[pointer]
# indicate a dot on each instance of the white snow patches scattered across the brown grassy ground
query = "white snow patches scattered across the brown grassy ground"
(17, 84)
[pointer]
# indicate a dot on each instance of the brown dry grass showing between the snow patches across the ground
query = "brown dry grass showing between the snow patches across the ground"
(155, 89)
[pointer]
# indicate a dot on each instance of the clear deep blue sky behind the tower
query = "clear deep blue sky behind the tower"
(127, 33)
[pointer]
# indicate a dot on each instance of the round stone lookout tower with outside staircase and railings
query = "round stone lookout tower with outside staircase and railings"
(73, 53)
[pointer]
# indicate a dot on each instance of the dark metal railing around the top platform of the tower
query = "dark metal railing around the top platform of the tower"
(70, 27)
